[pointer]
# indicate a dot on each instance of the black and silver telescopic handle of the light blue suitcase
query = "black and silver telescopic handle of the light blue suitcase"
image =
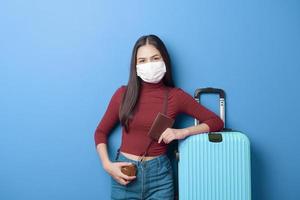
(210, 90)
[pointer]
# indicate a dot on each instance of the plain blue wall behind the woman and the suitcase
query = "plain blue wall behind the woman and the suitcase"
(61, 61)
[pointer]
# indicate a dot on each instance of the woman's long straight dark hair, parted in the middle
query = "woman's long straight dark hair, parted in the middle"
(131, 94)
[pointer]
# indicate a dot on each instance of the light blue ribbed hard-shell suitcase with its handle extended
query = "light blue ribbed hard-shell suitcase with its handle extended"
(214, 166)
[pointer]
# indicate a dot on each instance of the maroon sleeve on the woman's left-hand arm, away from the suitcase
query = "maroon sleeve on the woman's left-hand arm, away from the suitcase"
(110, 117)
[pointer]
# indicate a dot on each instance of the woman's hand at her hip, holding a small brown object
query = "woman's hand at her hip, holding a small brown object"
(114, 169)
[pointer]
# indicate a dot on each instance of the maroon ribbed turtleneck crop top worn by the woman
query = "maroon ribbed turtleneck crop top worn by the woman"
(149, 104)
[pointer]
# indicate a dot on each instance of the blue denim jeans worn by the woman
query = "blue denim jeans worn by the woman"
(154, 180)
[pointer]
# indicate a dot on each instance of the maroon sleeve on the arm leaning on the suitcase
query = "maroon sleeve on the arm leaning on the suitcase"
(188, 105)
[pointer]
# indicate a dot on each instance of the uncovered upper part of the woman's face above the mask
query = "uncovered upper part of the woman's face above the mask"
(147, 53)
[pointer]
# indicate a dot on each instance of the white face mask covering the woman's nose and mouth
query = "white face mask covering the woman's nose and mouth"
(151, 72)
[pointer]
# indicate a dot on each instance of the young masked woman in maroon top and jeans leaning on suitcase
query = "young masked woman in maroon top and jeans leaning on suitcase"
(135, 106)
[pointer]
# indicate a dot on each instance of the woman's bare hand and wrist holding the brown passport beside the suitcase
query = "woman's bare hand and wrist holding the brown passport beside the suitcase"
(171, 134)
